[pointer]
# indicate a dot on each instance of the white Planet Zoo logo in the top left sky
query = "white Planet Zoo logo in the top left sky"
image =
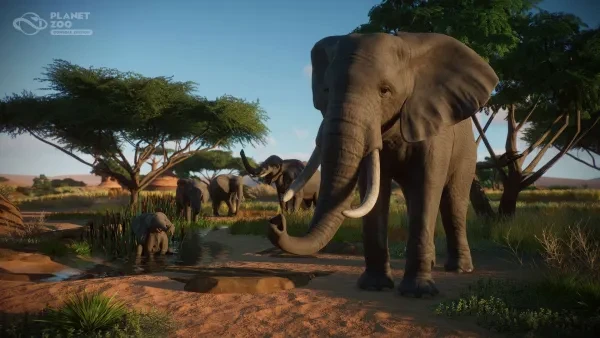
(60, 23)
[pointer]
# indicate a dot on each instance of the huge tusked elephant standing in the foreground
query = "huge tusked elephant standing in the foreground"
(395, 107)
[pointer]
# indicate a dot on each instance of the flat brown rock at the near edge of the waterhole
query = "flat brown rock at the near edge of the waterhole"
(252, 285)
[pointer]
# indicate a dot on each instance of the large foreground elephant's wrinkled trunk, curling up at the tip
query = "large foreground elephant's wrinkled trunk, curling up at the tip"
(343, 145)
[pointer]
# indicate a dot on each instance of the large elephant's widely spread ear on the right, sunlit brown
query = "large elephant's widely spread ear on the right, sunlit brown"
(450, 83)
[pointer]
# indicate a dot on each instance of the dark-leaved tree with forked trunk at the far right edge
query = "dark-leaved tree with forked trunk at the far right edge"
(552, 78)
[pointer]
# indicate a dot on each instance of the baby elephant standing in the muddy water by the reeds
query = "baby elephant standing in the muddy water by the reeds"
(147, 228)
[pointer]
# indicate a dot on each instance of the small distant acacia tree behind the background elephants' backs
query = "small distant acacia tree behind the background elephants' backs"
(211, 164)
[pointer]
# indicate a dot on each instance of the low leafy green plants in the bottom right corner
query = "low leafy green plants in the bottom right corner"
(533, 308)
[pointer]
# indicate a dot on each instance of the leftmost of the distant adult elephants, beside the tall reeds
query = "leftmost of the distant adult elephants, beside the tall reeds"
(189, 197)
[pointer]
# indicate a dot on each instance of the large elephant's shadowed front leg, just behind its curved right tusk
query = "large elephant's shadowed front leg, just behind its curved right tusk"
(378, 273)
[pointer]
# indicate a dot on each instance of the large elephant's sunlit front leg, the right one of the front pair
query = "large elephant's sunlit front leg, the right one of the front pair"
(423, 200)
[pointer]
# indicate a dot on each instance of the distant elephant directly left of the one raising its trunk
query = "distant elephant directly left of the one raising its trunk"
(229, 189)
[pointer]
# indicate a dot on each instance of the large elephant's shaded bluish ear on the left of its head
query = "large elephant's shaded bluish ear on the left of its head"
(320, 57)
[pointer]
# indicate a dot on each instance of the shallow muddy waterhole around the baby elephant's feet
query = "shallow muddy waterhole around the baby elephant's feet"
(191, 251)
